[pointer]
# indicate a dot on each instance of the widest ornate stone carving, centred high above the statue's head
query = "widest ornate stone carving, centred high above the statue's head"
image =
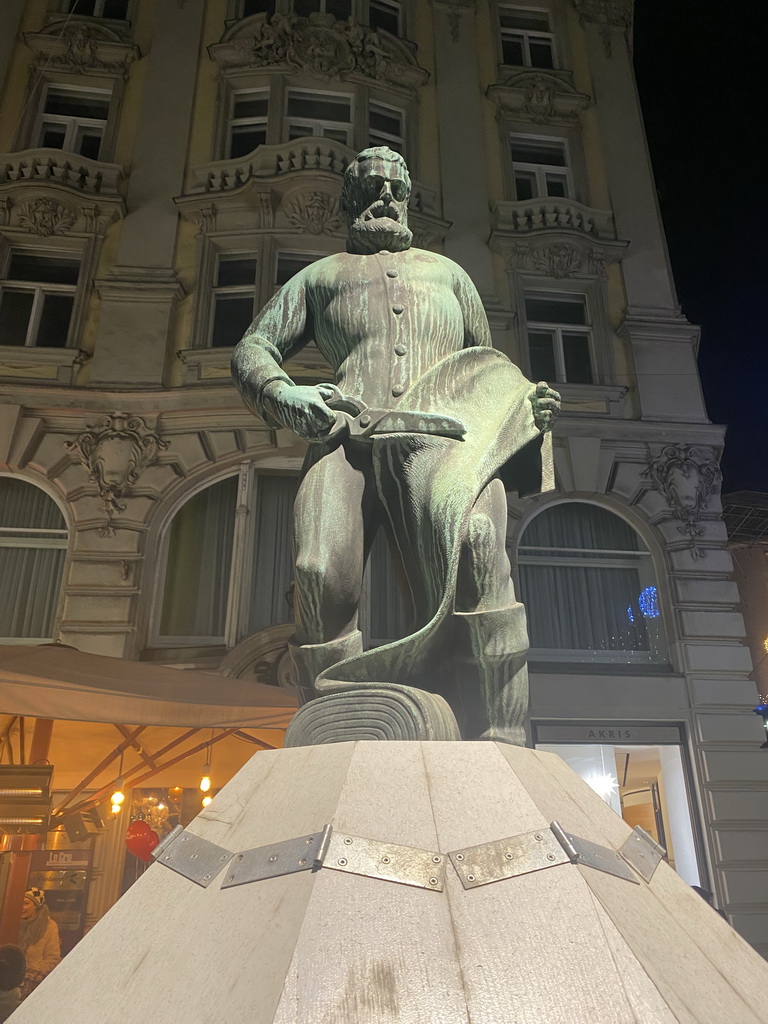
(322, 47)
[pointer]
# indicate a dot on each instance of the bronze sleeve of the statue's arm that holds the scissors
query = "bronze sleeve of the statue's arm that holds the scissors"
(281, 329)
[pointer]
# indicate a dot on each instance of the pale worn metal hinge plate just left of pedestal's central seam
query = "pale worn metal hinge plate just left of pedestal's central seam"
(410, 867)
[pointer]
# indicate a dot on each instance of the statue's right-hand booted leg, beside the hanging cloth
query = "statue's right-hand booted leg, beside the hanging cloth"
(492, 641)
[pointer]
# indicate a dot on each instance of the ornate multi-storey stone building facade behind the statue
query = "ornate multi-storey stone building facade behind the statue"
(168, 164)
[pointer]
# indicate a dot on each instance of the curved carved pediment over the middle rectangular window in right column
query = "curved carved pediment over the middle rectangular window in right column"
(539, 97)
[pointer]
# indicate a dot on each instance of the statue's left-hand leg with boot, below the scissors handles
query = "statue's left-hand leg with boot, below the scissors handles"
(330, 551)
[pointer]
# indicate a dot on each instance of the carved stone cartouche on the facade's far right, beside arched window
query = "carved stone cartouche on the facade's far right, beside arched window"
(688, 478)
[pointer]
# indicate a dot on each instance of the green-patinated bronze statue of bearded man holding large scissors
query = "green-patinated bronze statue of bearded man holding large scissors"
(421, 431)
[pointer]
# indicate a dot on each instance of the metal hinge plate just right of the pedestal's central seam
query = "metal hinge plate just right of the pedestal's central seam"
(506, 859)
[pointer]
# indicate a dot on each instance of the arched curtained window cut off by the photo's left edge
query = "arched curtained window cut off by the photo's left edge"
(33, 548)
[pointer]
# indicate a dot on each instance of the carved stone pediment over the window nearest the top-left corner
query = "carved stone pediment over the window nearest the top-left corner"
(81, 49)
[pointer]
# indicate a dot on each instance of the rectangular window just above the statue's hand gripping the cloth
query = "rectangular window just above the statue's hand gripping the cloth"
(559, 338)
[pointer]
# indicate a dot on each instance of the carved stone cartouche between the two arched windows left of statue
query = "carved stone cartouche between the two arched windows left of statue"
(115, 453)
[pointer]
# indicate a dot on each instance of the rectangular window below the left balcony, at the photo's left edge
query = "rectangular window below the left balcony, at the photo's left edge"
(37, 296)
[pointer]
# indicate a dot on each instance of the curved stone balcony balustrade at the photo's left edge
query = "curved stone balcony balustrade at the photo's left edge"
(34, 166)
